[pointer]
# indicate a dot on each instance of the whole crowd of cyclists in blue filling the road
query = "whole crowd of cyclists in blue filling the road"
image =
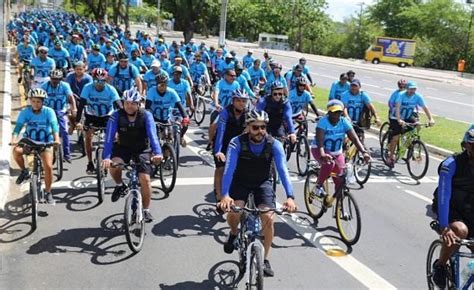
(87, 74)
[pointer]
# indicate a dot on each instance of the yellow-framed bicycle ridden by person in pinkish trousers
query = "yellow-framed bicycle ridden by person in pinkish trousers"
(345, 211)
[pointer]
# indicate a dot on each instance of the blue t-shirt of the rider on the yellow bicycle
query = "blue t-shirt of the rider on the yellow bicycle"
(334, 135)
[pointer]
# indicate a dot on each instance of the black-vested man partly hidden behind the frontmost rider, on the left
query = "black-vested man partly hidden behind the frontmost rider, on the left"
(231, 123)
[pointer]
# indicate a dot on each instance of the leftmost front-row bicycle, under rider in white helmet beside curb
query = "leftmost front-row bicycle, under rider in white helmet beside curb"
(36, 192)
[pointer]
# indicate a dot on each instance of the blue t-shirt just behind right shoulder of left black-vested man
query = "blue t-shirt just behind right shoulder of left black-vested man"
(161, 106)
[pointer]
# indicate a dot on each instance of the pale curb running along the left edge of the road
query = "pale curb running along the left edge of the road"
(5, 151)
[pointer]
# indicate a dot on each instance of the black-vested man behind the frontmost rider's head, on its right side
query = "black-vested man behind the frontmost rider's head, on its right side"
(279, 111)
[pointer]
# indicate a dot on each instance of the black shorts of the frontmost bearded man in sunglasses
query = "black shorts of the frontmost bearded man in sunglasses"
(263, 194)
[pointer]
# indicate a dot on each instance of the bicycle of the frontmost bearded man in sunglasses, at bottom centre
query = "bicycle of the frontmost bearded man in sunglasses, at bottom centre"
(249, 243)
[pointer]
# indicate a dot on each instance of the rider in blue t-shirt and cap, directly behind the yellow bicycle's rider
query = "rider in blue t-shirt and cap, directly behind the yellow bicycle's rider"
(356, 102)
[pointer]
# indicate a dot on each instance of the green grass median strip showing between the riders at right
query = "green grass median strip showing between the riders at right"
(446, 134)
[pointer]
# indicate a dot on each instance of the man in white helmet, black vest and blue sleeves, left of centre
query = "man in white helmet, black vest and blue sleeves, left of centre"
(136, 132)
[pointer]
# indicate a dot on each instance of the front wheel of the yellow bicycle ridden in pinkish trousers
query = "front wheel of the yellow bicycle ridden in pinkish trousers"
(348, 218)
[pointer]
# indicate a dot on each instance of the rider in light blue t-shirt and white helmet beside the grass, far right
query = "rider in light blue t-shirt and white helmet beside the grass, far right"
(406, 105)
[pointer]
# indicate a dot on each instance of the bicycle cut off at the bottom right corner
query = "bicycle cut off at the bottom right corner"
(453, 265)
